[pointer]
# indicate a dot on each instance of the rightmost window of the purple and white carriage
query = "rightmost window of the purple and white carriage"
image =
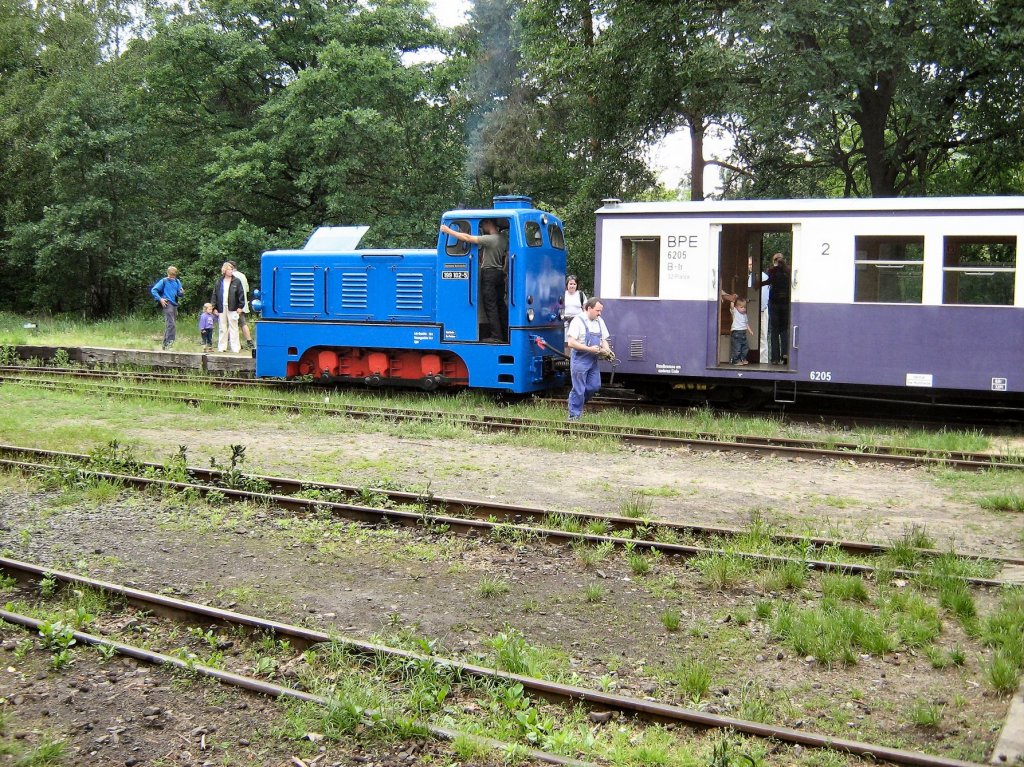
(979, 271)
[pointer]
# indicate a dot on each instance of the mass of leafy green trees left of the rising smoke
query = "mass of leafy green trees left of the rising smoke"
(212, 135)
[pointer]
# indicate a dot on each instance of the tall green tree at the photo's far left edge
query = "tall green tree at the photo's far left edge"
(75, 222)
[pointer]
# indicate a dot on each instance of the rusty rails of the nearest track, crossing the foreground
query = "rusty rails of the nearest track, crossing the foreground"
(301, 637)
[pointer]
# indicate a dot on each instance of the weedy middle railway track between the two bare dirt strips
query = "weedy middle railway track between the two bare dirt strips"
(483, 519)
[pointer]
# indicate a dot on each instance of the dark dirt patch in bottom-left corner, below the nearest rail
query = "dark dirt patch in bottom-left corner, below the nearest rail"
(122, 713)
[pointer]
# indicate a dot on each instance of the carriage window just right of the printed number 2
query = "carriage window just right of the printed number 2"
(889, 270)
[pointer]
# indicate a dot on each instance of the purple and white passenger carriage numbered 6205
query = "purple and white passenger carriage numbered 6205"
(901, 297)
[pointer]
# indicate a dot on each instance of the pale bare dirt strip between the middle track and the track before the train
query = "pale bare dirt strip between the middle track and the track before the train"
(839, 498)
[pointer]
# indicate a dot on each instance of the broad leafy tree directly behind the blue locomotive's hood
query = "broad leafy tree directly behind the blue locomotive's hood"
(358, 138)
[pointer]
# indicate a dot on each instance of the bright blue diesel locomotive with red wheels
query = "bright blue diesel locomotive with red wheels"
(414, 318)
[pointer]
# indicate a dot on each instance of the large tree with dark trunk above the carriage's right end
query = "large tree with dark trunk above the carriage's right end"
(878, 98)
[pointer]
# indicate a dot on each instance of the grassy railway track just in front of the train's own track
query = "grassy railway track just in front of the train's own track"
(809, 450)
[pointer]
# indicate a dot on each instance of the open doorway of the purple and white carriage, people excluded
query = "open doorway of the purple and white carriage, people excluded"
(745, 257)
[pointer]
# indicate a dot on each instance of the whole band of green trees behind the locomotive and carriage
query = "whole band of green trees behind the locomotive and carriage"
(138, 137)
